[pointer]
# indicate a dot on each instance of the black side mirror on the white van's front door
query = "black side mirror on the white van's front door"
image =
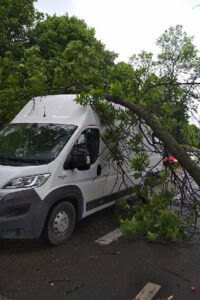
(79, 159)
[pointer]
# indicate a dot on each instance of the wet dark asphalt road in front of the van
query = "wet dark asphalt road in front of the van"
(80, 269)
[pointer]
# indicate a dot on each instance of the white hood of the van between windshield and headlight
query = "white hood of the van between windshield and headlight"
(7, 173)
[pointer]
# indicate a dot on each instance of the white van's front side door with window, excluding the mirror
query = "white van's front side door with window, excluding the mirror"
(90, 182)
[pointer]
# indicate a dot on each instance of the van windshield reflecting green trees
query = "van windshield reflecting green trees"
(29, 144)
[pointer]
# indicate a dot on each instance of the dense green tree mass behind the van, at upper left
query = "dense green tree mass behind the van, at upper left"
(44, 56)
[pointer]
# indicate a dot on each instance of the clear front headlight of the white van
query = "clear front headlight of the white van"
(27, 182)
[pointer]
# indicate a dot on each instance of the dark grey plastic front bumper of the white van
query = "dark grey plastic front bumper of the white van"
(22, 214)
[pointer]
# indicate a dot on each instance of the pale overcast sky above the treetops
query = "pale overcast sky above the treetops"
(129, 26)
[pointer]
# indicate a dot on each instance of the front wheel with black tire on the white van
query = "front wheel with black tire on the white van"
(60, 223)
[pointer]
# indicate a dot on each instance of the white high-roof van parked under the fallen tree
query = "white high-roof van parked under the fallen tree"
(54, 170)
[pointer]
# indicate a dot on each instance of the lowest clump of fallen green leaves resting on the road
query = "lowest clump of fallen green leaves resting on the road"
(155, 218)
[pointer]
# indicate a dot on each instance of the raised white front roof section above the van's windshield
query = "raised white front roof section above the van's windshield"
(57, 109)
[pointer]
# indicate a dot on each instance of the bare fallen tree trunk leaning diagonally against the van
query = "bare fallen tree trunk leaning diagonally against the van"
(169, 142)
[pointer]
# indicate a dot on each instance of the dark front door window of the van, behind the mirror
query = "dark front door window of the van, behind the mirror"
(89, 139)
